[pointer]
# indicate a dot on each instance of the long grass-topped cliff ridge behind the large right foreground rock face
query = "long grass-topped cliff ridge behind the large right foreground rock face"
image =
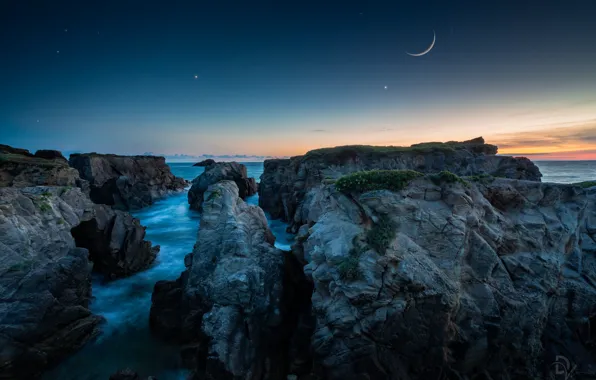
(285, 182)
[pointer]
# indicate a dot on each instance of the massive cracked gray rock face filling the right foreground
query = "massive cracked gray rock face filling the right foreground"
(461, 280)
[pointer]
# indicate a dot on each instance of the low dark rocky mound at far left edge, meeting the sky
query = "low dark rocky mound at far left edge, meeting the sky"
(20, 168)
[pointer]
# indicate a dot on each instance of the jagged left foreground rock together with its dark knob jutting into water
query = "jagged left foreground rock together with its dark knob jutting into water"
(45, 272)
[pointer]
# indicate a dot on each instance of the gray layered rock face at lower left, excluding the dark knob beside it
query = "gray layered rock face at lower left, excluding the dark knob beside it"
(44, 279)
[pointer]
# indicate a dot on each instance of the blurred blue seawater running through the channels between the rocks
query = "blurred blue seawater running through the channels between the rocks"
(126, 341)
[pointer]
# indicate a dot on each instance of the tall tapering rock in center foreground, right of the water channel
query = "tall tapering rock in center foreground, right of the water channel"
(238, 305)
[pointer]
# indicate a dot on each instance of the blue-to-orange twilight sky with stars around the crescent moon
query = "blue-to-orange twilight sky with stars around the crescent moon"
(277, 78)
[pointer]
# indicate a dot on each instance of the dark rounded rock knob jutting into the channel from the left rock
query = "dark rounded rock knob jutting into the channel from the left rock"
(115, 241)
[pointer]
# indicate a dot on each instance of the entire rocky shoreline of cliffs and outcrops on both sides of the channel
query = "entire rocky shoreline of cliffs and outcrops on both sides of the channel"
(440, 260)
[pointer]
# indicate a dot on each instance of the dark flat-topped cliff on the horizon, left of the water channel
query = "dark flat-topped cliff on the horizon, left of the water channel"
(126, 182)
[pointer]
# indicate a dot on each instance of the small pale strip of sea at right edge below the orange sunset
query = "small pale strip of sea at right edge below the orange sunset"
(567, 171)
